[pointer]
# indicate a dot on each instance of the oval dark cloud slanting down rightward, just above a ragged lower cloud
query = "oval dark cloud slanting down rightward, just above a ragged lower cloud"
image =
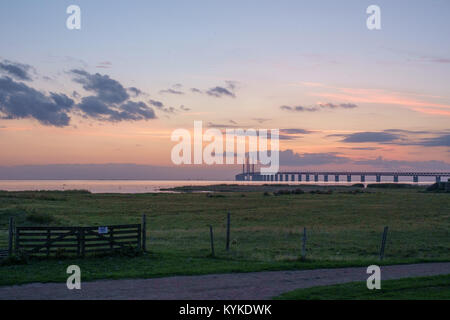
(106, 89)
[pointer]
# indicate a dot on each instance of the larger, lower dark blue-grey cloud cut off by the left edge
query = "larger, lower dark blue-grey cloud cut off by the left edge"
(19, 101)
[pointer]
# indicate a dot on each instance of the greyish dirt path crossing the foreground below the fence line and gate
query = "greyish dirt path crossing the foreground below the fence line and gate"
(257, 285)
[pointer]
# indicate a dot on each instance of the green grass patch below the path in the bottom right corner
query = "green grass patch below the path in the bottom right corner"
(423, 288)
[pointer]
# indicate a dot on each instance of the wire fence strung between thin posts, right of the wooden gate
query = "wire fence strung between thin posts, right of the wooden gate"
(287, 243)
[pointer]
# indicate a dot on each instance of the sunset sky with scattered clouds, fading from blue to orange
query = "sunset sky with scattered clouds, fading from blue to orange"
(342, 96)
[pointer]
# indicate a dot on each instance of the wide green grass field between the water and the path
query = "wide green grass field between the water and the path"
(344, 229)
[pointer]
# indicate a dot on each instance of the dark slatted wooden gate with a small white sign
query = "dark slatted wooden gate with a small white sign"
(78, 240)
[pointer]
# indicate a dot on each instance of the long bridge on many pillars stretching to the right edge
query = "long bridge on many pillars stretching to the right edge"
(251, 175)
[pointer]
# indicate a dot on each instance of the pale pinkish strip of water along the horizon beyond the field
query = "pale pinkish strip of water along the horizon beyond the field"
(143, 186)
